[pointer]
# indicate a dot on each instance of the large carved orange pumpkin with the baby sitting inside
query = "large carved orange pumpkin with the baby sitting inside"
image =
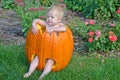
(57, 46)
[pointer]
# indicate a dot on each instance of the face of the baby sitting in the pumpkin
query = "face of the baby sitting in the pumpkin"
(52, 18)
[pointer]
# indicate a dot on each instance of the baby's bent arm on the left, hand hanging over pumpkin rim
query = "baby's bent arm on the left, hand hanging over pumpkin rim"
(34, 25)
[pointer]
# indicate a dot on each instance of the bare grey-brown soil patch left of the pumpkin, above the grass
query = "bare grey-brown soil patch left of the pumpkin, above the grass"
(10, 29)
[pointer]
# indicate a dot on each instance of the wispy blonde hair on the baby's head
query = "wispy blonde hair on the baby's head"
(59, 9)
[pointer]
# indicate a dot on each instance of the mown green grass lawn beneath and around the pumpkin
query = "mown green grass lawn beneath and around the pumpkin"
(13, 65)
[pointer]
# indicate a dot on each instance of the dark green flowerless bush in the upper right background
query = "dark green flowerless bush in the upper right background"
(95, 9)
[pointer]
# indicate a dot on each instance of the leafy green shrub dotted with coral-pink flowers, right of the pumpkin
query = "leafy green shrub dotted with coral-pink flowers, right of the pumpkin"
(104, 40)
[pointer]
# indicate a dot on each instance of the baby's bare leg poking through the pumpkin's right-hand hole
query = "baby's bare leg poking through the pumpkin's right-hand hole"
(47, 69)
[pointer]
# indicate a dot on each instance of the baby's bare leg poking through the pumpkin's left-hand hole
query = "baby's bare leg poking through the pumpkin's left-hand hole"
(33, 66)
